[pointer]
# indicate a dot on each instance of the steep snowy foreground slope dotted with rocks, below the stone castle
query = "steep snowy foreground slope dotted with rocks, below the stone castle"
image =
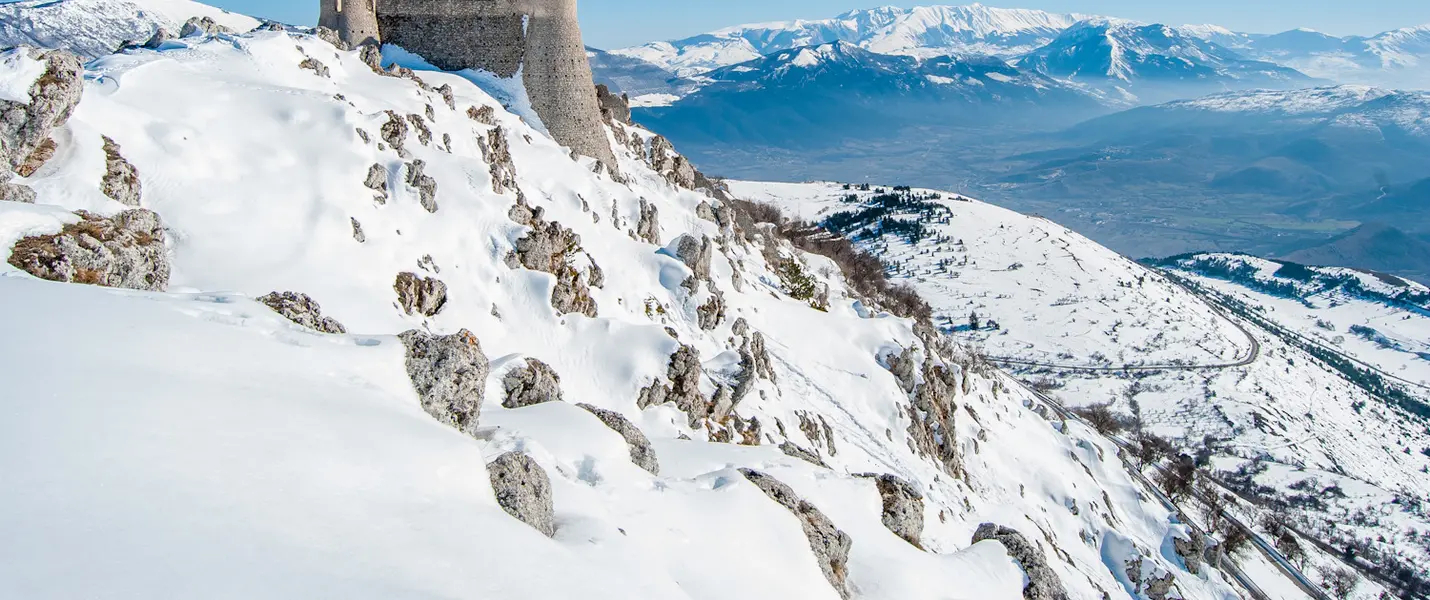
(192, 444)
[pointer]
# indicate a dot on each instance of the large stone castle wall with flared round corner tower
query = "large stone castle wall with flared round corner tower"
(540, 39)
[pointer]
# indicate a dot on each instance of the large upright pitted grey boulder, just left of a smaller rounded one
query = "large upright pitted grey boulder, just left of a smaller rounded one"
(450, 374)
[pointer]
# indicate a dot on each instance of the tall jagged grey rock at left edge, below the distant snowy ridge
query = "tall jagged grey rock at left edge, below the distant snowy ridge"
(54, 96)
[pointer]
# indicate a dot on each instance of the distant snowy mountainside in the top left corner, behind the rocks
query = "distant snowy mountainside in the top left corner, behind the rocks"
(97, 28)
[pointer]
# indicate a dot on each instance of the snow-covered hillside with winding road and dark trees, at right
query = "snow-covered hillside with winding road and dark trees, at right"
(1309, 438)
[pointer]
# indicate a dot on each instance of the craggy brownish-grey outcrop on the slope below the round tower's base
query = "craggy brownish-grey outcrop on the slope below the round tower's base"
(550, 248)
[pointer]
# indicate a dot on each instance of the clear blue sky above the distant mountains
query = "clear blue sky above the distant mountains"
(614, 24)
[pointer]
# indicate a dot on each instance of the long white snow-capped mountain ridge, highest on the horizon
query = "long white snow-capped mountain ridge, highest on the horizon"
(933, 31)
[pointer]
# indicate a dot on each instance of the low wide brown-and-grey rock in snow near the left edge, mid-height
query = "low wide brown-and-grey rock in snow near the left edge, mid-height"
(127, 251)
